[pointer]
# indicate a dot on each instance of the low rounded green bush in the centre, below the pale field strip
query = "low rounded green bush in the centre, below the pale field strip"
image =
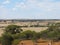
(29, 35)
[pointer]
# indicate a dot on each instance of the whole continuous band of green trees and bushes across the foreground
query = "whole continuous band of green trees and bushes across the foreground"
(13, 34)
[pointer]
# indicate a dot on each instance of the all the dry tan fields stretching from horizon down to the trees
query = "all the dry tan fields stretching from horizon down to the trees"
(28, 23)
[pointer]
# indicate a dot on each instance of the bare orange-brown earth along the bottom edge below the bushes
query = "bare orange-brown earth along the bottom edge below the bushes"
(30, 42)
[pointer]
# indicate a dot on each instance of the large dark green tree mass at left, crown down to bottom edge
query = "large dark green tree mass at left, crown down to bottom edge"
(11, 33)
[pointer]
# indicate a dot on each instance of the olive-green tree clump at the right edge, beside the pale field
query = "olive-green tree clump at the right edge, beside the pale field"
(52, 33)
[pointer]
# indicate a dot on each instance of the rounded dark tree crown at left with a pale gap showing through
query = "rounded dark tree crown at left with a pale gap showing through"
(13, 29)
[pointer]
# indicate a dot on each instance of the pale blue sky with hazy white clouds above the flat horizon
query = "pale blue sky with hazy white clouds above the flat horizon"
(29, 9)
